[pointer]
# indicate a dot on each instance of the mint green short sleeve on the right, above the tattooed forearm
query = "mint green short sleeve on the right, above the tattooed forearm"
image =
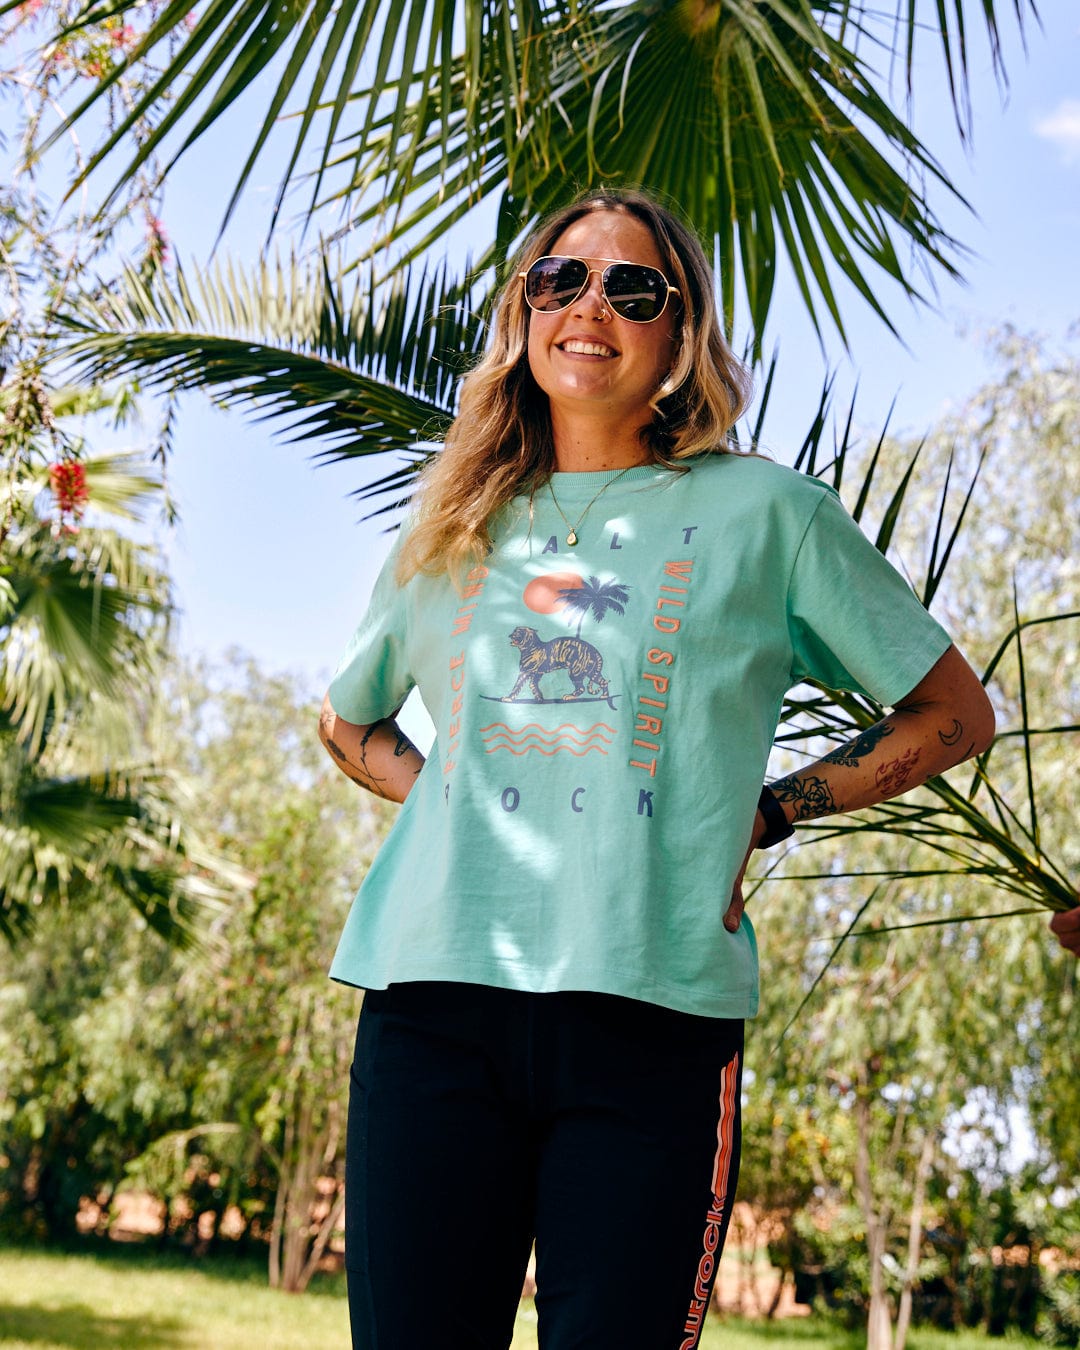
(855, 622)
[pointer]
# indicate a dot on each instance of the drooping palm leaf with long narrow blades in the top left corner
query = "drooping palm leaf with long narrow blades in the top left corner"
(233, 48)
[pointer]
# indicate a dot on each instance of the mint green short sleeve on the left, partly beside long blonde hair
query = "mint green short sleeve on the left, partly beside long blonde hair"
(373, 677)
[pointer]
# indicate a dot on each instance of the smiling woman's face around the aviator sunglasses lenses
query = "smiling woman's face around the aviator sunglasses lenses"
(587, 360)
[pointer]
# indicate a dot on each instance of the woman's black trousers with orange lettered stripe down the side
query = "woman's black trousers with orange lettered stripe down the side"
(605, 1129)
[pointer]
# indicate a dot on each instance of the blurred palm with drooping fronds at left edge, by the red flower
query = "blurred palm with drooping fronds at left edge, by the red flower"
(82, 622)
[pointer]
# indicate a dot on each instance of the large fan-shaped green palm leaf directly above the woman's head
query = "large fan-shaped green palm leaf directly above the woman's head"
(759, 125)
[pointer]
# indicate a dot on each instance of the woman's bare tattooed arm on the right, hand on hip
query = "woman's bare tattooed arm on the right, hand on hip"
(943, 722)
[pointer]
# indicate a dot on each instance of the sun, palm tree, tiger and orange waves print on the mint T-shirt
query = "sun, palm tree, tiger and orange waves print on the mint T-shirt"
(545, 666)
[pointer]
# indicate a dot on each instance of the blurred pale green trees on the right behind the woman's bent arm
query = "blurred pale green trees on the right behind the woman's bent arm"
(888, 1120)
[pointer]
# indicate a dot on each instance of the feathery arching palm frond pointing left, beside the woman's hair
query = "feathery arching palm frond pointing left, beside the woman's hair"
(357, 369)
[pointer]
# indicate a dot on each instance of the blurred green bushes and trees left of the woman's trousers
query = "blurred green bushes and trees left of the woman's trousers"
(213, 1083)
